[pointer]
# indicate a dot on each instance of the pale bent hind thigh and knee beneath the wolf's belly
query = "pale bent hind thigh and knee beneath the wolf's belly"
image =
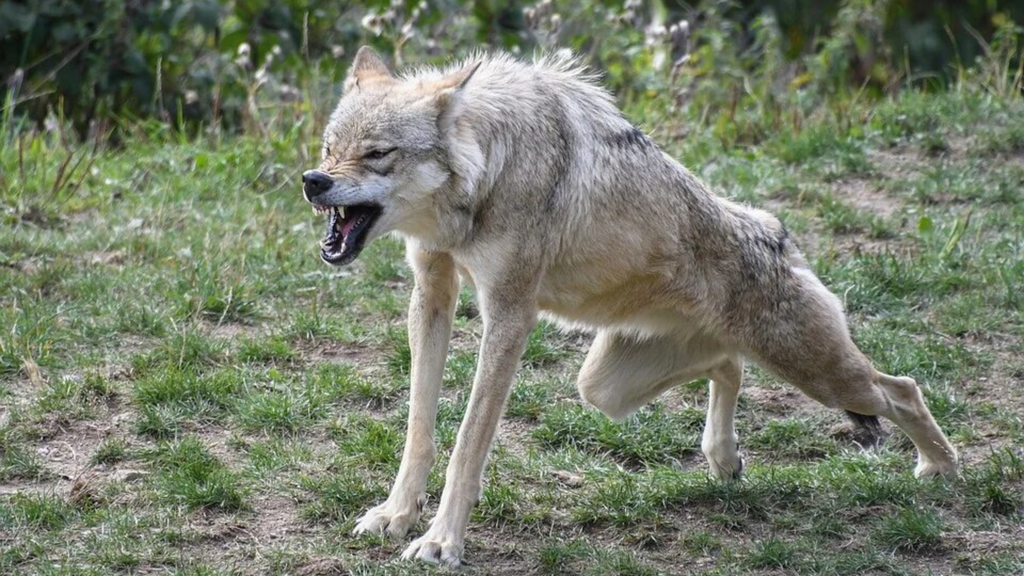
(623, 373)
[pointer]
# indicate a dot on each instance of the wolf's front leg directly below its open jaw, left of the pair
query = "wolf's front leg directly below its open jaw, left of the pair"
(431, 313)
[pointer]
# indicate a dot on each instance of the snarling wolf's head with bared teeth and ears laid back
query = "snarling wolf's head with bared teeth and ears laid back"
(386, 155)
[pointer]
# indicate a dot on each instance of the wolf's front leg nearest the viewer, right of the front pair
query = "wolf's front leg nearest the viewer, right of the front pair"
(506, 328)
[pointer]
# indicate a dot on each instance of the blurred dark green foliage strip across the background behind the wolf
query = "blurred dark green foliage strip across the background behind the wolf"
(220, 64)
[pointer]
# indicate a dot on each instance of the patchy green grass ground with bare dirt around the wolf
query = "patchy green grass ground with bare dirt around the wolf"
(173, 344)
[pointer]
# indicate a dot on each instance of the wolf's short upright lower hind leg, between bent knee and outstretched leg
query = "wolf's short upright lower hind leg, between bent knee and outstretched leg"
(720, 444)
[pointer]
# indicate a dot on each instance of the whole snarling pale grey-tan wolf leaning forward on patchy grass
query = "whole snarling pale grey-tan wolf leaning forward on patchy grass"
(528, 183)
